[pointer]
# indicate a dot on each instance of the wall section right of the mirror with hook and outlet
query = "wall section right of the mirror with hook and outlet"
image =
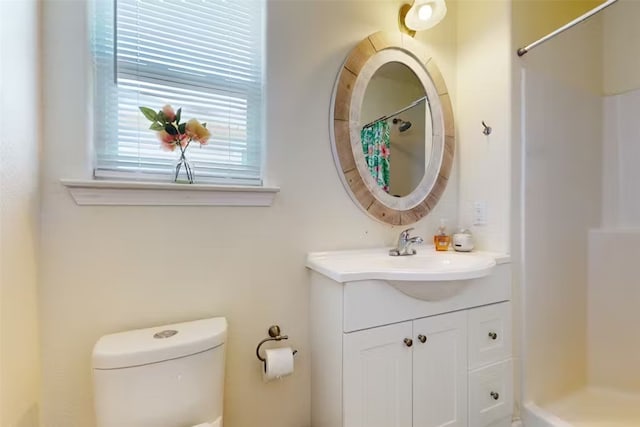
(483, 77)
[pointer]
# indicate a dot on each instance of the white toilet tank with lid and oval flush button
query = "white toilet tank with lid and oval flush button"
(166, 376)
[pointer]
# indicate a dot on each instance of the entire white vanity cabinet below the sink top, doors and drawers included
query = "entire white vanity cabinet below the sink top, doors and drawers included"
(381, 358)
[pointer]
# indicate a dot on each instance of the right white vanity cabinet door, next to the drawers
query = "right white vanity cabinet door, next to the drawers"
(440, 371)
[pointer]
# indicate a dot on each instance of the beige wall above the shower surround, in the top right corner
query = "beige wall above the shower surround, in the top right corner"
(621, 41)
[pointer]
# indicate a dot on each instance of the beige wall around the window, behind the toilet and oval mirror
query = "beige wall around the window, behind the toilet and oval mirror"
(106, 269)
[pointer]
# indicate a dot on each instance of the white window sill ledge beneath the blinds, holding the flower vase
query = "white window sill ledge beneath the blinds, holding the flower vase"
(131, 193)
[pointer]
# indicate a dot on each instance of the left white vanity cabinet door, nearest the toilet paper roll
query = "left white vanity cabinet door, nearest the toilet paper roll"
(377, 377)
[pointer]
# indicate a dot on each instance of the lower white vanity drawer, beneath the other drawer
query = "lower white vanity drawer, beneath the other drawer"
(491, 394)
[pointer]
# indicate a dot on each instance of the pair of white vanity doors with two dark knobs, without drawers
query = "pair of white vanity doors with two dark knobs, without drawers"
(392, 378)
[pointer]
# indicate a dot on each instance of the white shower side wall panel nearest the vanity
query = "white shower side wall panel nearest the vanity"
(562, 198)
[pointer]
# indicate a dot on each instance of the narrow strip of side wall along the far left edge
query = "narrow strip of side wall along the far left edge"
(19, 152)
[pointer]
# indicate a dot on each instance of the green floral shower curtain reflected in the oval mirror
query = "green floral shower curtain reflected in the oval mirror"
(376, 142)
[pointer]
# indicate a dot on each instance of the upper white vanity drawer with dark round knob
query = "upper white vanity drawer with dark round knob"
(489, 334)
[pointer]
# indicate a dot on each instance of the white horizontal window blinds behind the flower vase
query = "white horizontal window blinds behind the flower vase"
(204, 56)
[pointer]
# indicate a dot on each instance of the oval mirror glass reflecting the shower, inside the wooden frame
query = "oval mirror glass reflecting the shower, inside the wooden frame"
(396, 133)
